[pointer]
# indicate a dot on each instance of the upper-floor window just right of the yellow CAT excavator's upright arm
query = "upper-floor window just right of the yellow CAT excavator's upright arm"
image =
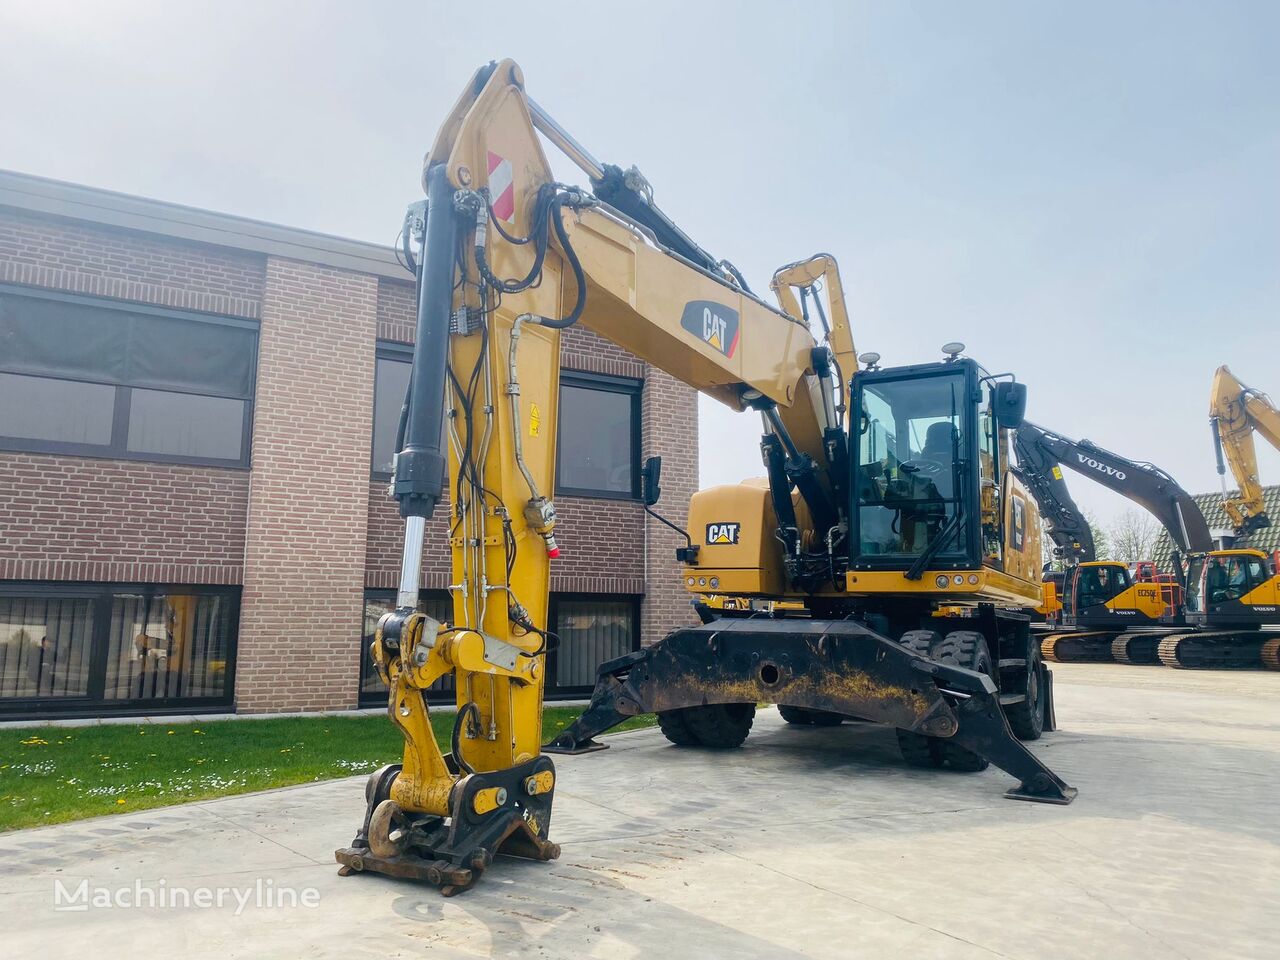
(600, 437)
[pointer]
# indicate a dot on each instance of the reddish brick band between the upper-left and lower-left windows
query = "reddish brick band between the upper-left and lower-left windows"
(77, 519)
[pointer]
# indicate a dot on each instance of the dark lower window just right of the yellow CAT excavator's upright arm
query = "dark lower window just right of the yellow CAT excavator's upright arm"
(592, 630)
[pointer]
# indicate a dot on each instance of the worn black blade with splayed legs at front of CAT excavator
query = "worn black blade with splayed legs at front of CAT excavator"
(834, 666)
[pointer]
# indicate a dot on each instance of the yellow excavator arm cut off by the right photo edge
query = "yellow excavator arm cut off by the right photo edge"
(1236, 414)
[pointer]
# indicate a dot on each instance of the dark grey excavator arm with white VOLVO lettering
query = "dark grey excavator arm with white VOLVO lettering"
(1148, 486)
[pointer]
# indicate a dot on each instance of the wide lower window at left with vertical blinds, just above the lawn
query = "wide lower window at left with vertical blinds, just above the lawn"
(94, 648)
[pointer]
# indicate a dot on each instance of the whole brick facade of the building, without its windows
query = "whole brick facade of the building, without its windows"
(307, 531)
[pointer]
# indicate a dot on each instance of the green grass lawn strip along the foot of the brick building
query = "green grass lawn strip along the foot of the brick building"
(52, 775)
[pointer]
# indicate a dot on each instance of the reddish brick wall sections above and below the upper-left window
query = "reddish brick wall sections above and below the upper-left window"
(79, 519)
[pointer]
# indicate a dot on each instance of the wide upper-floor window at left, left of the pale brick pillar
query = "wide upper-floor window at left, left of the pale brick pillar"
(104, 380)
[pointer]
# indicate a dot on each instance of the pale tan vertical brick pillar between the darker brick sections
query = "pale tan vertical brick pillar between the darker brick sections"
(303, 602)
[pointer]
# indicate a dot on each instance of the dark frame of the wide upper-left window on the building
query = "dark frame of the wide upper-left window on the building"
(118, 446)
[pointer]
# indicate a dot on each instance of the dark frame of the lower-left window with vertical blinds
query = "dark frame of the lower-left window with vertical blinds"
(94, 703)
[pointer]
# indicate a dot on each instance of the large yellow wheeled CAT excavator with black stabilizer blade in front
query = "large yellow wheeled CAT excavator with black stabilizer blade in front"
(884, 501)
